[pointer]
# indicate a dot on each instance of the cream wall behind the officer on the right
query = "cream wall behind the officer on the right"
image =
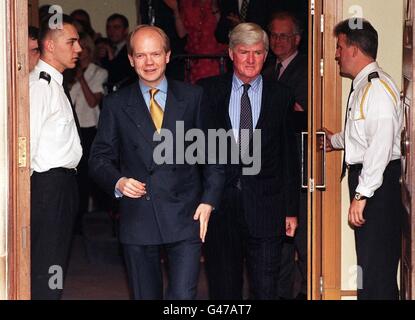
(387, 18)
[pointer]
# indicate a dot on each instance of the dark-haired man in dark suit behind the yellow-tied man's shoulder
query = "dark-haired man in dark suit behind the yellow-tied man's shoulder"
(120, 73)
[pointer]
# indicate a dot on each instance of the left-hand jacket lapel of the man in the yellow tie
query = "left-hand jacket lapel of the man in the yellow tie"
(136, 109)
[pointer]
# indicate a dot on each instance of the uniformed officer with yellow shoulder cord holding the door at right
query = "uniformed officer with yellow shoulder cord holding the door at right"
(371, 140)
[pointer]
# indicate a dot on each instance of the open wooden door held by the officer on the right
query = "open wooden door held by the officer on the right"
(323, 183)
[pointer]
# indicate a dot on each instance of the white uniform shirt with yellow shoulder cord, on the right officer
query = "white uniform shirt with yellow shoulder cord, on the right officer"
(373, 128)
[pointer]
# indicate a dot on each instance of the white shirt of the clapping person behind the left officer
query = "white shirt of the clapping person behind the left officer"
(95, 77)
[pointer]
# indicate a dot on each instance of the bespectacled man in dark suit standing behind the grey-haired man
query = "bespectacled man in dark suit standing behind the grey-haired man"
(290, 67)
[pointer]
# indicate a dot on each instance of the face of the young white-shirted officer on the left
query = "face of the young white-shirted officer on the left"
(64, 47)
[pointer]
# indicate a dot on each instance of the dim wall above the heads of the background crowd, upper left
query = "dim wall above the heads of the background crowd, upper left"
(99, 10)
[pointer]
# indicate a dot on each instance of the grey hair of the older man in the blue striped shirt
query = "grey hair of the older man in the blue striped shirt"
(248, 33)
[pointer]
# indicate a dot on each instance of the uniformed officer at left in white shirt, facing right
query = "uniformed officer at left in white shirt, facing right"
(55, 152)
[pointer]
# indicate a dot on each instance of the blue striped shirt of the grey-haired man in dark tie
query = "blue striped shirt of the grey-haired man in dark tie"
(255, 96)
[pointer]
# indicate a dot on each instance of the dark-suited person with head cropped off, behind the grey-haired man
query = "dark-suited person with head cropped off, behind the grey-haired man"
(234, 12)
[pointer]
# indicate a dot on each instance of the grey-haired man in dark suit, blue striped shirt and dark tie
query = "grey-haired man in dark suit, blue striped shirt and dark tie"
(256, 211)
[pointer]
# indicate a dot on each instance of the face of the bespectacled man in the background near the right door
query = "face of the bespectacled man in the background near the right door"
(283, 41)
